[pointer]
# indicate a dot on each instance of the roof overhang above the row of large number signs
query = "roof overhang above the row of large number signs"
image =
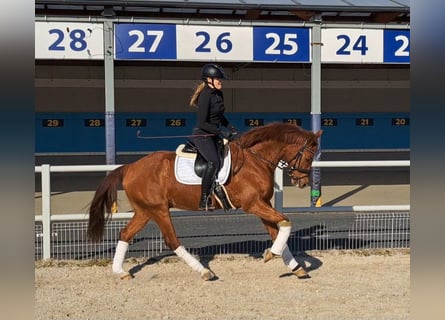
(369, 11)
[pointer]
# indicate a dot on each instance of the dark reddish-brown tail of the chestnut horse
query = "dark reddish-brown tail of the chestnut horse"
(104, 200)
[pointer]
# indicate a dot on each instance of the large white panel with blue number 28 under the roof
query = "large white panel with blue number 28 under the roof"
(68, 40)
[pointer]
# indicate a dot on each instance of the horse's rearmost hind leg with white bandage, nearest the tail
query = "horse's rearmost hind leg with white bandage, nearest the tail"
(139, 220)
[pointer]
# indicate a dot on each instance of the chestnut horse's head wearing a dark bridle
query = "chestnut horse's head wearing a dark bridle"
(299, 159)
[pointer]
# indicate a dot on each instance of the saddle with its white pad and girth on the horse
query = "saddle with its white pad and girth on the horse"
(189, 159)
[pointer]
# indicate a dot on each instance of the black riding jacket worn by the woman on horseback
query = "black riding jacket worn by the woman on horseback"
(210, 115)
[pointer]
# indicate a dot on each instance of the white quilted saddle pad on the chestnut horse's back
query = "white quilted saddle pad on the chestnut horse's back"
(185, 171)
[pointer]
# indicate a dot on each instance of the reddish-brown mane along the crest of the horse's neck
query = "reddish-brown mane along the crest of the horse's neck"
(280, 132)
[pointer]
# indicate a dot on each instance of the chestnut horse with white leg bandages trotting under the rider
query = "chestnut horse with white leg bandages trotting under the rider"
(152, 189)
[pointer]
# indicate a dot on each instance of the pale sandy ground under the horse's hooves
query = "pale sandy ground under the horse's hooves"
(344, 285)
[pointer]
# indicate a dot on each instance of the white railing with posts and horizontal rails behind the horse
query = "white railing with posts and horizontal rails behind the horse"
(46, 217)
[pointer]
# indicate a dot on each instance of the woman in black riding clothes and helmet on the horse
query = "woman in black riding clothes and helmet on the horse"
(208, 99)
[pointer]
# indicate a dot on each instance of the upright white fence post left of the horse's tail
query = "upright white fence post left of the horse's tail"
(46, 211)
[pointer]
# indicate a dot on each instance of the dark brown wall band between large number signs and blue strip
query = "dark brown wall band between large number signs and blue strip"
(73, 87)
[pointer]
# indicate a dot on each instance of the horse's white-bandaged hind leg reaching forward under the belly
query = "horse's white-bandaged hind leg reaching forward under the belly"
(166, 226)
